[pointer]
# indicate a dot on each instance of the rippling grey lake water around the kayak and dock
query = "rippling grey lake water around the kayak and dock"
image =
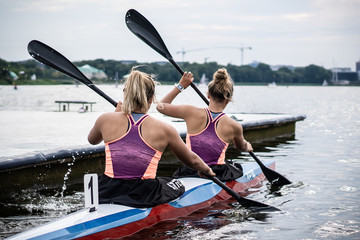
(322, 161)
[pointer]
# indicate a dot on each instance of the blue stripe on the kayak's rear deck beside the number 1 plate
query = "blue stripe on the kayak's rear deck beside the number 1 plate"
(97, 225)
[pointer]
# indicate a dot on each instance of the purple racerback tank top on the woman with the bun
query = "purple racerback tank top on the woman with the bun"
(207, 144)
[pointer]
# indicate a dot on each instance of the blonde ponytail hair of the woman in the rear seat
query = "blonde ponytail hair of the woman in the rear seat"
(139, 89)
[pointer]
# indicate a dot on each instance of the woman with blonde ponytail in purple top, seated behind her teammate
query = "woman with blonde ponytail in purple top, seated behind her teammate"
(134, 143)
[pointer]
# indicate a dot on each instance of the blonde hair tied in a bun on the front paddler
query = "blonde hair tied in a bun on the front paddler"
(221, 87)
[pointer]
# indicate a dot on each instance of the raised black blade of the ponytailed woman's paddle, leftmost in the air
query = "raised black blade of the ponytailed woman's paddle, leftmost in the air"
(49, 56)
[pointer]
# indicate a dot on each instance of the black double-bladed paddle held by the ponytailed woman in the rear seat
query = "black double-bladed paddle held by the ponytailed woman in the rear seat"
(49, 56)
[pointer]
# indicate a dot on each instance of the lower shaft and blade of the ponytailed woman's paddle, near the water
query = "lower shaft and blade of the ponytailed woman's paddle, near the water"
(248, 203)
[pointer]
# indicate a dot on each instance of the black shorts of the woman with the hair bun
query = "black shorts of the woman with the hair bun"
(224, 172)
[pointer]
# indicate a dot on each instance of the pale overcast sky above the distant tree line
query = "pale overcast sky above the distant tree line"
(279, 32)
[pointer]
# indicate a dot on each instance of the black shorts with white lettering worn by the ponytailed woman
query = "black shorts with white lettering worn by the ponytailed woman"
(139, 193)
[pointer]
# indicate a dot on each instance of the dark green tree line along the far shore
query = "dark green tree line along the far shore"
(165, 72)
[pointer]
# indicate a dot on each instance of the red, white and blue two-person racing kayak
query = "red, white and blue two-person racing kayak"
(116, 221)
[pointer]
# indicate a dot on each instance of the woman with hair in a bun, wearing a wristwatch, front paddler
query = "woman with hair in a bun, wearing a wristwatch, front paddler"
(209, 130)
